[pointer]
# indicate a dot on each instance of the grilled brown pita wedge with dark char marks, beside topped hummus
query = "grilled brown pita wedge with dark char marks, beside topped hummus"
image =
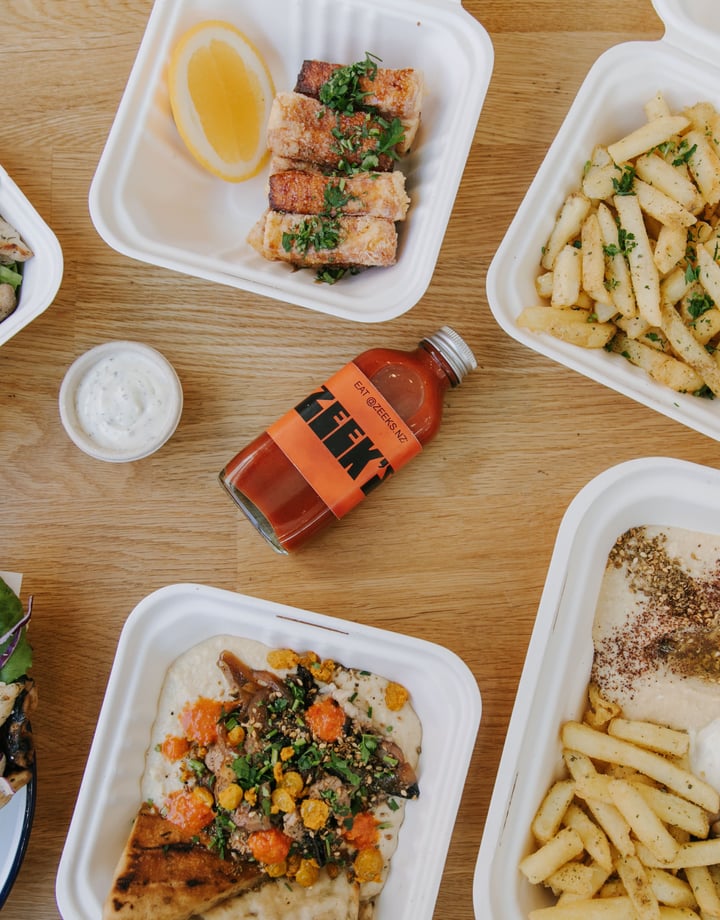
(164, 875)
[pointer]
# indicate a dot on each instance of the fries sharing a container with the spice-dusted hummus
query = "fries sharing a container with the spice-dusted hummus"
(625, 834)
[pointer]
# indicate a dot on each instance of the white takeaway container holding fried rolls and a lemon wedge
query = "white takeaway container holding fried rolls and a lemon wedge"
(150, 200)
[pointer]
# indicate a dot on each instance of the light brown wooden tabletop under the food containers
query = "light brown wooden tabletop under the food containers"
(454, 550)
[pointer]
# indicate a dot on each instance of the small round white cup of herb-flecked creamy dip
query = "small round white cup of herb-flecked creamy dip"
(120, 401)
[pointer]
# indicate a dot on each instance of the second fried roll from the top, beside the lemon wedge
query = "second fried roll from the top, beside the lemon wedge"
(302, 128)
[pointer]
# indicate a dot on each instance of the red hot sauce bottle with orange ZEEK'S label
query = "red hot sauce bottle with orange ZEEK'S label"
(348, 436)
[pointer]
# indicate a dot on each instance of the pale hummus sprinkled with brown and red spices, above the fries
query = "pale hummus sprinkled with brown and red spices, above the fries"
(656, 635)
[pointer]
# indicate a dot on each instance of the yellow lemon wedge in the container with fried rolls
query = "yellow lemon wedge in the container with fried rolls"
(220, 94)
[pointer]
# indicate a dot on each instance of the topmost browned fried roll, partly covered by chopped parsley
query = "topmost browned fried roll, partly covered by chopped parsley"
(395, 93)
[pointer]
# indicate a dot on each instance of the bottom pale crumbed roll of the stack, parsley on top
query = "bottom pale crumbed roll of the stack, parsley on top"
(363, 241)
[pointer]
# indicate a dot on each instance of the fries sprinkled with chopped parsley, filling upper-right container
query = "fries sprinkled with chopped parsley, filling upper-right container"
(634, 253)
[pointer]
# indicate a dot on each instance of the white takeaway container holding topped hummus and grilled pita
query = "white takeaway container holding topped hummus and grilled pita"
(165, 624)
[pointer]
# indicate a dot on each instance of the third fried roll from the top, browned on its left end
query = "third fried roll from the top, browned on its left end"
(374, 194)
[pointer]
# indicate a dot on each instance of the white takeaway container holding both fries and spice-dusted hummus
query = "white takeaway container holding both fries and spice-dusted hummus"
(553, 685)
